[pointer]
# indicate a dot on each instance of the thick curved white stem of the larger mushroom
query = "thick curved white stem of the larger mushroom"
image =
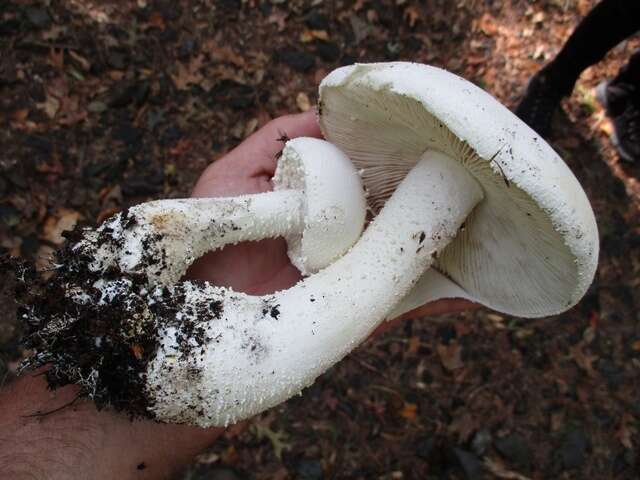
(259, 351)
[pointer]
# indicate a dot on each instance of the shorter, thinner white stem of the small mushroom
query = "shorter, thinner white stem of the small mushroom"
(189, 228)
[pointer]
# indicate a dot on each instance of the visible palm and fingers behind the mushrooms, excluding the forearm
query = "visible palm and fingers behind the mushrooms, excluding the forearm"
(263, 267)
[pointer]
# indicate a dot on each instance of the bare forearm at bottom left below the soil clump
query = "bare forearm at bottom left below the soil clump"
(78, 441)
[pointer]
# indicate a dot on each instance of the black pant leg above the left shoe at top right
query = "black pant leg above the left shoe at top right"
(606, 25)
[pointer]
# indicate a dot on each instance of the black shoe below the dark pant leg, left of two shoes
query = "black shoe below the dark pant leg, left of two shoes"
(540, 101)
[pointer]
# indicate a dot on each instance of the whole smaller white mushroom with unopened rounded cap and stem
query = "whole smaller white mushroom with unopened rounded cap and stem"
(318, 205)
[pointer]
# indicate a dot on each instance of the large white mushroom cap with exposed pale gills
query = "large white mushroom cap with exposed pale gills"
(530, 247)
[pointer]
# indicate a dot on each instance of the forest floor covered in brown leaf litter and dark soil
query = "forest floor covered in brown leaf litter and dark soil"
(104, 104)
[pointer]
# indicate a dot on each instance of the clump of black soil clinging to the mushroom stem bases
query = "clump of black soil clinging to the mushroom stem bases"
(101, 345)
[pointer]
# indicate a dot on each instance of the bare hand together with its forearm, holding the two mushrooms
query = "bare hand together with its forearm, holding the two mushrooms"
(77, 440)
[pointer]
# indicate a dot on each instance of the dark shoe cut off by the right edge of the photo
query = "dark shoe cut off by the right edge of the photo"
(622, 103)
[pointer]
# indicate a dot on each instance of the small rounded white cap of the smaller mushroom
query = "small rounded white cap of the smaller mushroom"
(334, 205)
